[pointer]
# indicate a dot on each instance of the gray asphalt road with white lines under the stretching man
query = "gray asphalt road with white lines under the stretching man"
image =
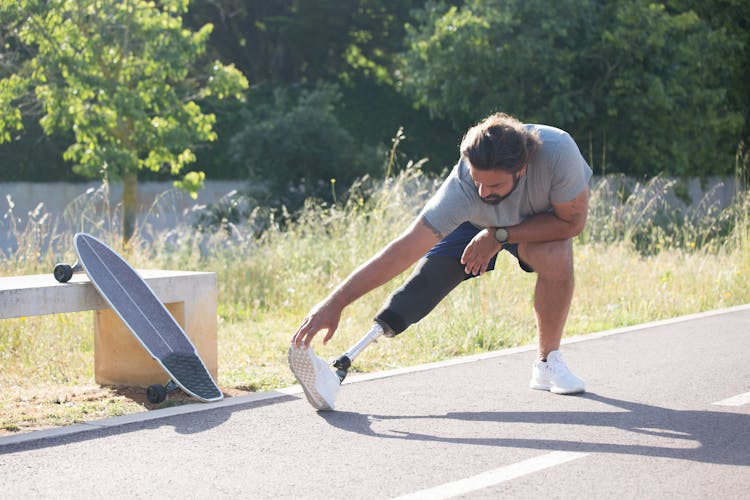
(666, 415)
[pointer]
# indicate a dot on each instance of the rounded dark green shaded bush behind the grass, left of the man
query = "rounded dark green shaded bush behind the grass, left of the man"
(294, 145)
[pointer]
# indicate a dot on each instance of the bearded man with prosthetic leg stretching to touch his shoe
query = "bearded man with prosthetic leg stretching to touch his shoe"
(519, 188)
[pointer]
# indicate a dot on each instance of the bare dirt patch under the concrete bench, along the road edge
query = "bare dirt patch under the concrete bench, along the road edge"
(25, 410)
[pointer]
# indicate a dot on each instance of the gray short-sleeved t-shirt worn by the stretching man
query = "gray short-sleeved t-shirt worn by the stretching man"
(557, 173)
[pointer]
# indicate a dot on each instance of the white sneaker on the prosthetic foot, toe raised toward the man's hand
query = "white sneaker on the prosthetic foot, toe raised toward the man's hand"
(320, 384)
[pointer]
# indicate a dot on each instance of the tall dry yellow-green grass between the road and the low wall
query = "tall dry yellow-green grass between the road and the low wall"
(638, 260)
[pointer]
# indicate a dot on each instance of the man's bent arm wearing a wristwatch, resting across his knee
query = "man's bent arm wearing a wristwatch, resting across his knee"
(567, 220)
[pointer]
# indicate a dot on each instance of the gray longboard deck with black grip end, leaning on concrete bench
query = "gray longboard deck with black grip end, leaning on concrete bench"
(146, 317)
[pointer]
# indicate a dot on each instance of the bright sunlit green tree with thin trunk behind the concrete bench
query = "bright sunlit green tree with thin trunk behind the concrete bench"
(123, 76)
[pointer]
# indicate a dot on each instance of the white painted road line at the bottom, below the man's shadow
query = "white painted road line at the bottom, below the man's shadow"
(493, 477)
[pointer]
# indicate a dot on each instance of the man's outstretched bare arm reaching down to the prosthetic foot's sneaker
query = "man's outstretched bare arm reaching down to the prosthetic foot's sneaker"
(391, 261)
